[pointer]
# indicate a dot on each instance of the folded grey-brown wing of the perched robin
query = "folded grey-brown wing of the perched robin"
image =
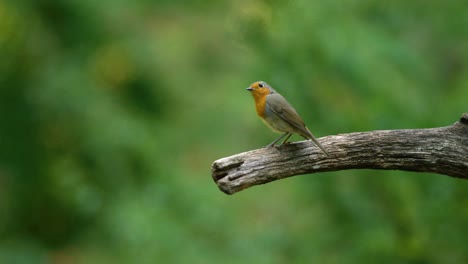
(283, 109)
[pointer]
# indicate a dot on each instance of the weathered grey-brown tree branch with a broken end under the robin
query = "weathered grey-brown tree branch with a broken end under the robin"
(442, 150)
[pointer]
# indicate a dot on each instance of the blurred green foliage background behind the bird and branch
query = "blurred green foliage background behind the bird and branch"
(113, 111)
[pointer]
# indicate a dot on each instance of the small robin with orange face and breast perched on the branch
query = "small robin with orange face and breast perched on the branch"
(278, 114)
